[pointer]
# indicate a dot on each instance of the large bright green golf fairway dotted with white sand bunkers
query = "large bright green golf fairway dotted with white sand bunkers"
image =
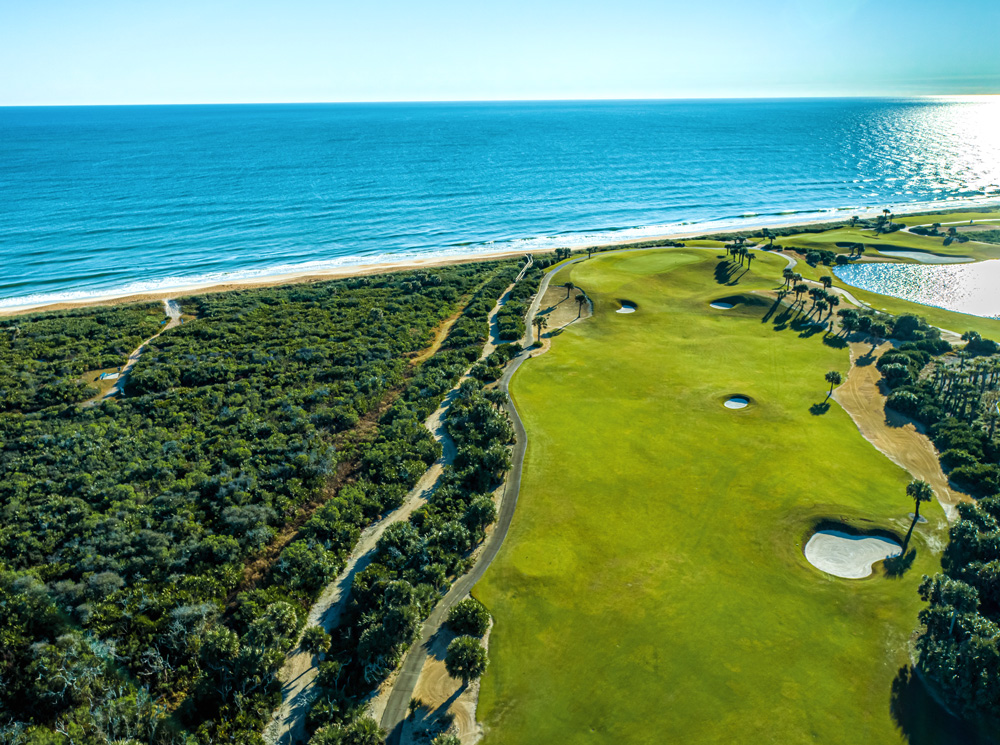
(652, 588)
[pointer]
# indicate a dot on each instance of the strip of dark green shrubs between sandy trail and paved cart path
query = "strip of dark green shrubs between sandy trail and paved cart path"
(417, 561)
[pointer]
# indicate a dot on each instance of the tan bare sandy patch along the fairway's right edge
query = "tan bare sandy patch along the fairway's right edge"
(895, 436)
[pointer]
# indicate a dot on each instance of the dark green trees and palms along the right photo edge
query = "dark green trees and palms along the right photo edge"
(954, 393)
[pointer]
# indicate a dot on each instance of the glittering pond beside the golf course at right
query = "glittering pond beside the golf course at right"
(965, 288)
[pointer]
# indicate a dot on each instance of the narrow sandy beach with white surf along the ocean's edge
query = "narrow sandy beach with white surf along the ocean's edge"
(356, 270)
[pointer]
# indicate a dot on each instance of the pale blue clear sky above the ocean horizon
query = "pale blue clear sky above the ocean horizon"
(221, 51)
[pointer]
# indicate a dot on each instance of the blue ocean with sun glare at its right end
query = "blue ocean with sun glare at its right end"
(105, 200)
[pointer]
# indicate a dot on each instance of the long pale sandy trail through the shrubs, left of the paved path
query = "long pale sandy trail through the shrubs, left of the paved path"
(287, 725)
